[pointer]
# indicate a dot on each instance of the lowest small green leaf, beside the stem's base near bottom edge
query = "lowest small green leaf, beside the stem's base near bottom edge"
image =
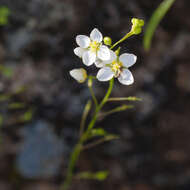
(100, 176)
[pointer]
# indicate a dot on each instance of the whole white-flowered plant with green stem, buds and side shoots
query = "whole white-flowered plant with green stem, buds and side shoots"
(99, 51)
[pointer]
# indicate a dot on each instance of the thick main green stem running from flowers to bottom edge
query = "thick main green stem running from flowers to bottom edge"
(78, 148)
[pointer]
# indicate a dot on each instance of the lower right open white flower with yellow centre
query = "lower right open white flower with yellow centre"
(117, 67)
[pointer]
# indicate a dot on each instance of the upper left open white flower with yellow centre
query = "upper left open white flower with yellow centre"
(91, 49)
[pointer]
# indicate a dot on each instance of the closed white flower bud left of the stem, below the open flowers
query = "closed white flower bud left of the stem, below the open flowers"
(79, 74)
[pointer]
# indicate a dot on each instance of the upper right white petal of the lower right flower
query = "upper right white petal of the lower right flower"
(128, 59)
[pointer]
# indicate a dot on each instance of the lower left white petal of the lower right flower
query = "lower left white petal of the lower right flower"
(105, 74)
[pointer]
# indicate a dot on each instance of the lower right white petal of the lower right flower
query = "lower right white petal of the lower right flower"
(126, 77)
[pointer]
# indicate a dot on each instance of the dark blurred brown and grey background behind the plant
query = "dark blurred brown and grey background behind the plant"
(41, 105)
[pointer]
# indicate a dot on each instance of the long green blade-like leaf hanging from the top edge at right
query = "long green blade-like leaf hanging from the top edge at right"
(157, 16)
